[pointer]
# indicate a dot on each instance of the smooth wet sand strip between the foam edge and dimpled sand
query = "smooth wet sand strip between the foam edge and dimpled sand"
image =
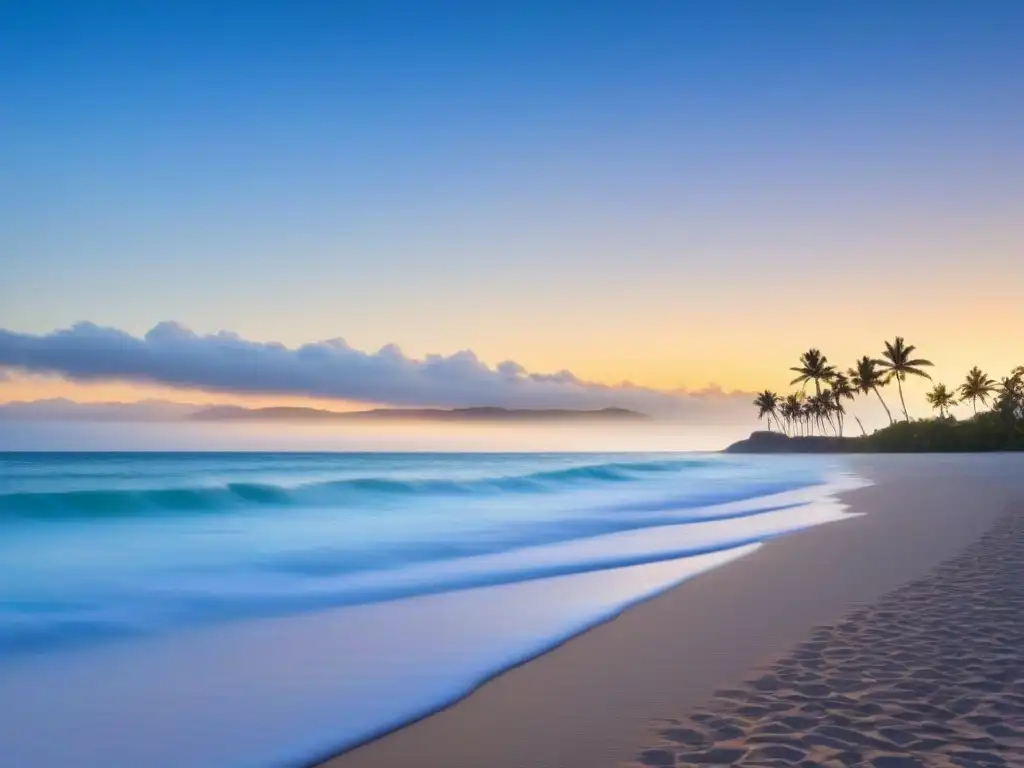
(584, 703)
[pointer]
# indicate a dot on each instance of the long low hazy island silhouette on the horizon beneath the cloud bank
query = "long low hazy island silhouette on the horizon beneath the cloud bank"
(238, 413)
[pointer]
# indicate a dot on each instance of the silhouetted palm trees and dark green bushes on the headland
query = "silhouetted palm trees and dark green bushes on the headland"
(820, 419)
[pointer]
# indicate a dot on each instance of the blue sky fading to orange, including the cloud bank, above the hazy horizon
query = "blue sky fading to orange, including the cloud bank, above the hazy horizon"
(679, 196)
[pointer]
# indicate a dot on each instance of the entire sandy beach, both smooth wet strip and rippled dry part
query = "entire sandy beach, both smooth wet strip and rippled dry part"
(892, 639)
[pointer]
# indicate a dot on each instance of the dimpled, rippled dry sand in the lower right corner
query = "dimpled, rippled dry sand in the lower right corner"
(932, 674)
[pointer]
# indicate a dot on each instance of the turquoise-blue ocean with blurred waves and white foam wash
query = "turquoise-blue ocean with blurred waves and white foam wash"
(259, 610)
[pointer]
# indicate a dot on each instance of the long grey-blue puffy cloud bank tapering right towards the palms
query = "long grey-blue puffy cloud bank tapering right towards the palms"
(172, 355)
